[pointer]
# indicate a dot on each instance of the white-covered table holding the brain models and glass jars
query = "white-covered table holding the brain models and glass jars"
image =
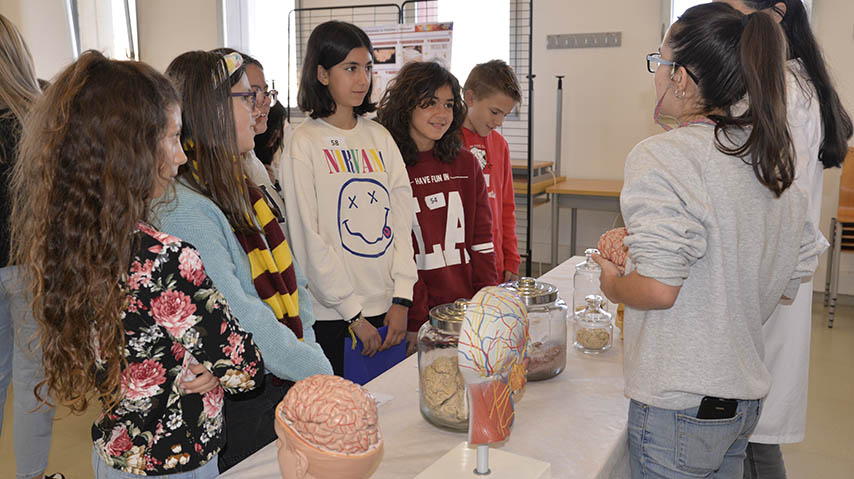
(575, 421)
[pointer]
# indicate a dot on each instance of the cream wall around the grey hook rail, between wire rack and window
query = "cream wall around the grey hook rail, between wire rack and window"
(608, 101)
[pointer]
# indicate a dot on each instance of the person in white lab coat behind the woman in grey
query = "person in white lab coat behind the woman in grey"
(820, 129)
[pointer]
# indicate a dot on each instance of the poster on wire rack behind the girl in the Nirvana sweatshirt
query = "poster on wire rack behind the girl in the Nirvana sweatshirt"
(396, 45)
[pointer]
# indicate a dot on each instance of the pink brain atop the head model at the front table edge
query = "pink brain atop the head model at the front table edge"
(332, 414)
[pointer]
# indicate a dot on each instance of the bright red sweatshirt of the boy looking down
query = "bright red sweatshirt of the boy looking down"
(493, 154)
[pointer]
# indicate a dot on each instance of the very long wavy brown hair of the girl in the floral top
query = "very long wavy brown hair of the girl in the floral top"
(89, 157)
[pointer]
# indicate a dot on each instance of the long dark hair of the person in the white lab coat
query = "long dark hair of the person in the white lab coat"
(835, 121)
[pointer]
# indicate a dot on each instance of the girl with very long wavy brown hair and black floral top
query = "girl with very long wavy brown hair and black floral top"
(123, 309)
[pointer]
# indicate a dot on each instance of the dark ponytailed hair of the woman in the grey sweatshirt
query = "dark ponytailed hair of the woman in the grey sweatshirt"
(734, 55)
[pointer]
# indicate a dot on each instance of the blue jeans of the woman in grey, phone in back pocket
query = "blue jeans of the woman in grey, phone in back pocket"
(670, 444)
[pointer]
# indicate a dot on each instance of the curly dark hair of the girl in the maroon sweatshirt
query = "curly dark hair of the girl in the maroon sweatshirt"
(414, 86)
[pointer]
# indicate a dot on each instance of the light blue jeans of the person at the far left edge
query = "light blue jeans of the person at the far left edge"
(19, 347)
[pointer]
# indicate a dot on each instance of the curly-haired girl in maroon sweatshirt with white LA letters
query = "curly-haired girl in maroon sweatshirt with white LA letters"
(424, 111)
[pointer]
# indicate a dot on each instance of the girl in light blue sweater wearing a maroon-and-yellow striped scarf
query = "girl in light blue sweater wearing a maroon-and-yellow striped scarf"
(234, 228)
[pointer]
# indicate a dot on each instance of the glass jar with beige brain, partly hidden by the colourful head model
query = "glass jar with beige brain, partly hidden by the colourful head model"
(442, 389)
